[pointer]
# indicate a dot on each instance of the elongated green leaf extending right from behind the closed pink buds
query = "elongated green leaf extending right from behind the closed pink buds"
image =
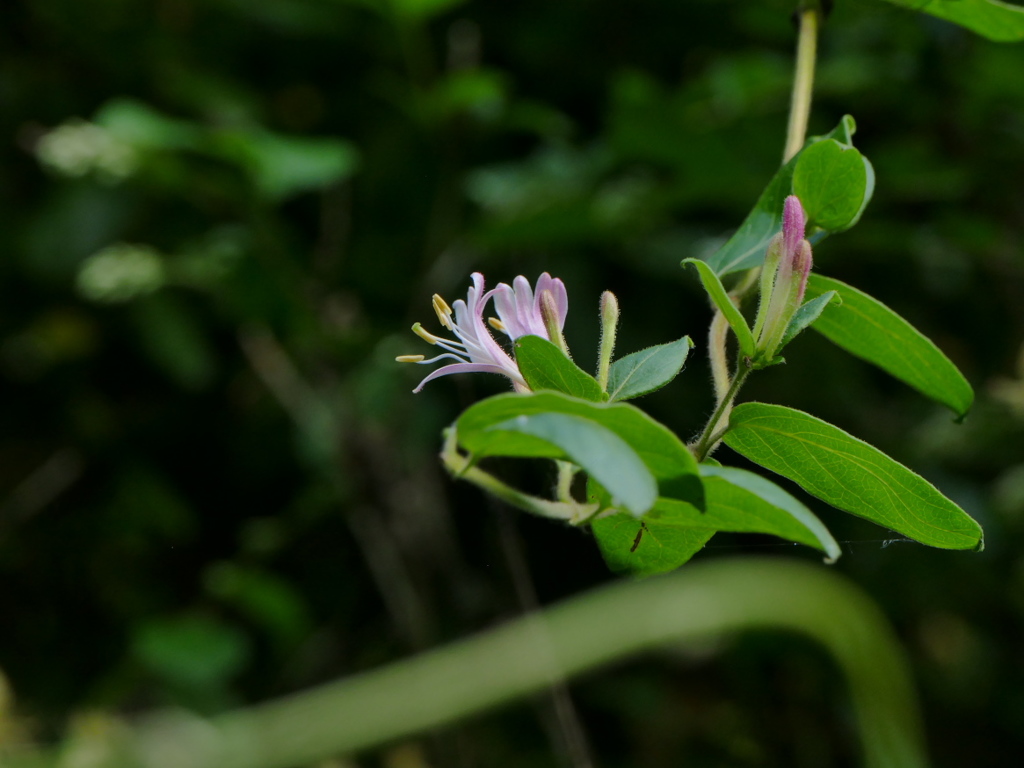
(867, 328)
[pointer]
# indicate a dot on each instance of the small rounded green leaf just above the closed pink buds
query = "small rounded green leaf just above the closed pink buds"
(834, 184)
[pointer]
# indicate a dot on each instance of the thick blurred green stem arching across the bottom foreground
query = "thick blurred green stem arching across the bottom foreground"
(703, 603)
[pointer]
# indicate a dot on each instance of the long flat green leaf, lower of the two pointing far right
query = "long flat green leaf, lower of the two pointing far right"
(849, 475)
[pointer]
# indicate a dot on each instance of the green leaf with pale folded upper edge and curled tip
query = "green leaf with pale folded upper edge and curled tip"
(740, 501)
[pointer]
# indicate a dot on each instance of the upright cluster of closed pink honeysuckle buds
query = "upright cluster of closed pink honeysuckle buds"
(784, 279)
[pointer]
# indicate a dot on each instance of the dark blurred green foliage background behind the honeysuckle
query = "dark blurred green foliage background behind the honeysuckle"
(219, 221)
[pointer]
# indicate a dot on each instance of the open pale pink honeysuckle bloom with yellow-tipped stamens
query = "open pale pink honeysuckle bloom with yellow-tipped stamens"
(522, 312)
